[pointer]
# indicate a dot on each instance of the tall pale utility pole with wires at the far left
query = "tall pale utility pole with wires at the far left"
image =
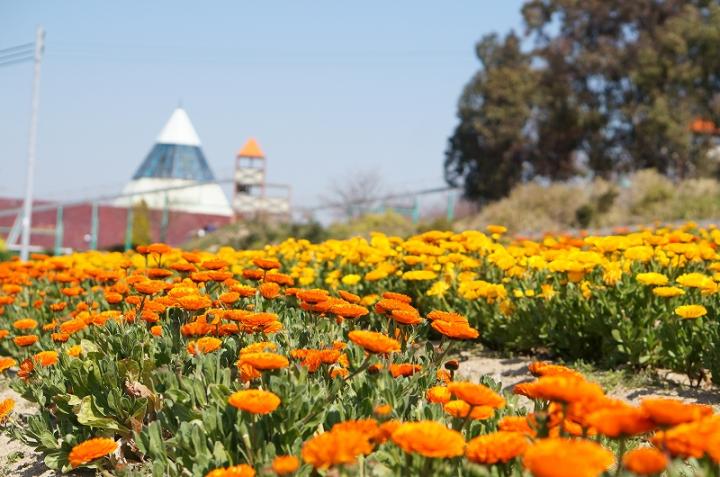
(27, 205)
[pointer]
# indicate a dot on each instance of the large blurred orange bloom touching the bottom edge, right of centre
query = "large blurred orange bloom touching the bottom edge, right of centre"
(556, 457)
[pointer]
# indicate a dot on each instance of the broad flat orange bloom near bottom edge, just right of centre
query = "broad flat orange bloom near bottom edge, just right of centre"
(428, 438)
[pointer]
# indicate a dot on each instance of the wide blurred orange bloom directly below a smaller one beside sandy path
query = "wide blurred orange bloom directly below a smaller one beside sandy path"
(560, 388)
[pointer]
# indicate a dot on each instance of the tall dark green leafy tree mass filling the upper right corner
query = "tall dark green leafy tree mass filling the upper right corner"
(607, 87)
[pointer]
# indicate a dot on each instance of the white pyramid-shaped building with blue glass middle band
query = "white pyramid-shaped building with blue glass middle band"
(175, 174)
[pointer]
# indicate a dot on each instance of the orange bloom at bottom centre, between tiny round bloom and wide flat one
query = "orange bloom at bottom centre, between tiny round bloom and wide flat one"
(337, 447)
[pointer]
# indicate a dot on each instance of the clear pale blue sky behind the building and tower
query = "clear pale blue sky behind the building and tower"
(328, 88)
